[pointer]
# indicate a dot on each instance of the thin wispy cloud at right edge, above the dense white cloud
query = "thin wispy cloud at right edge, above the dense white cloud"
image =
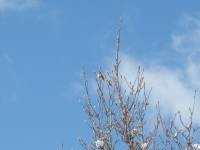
(186, 43)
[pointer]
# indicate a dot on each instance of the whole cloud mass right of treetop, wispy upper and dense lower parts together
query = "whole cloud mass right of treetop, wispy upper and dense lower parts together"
(174, 87)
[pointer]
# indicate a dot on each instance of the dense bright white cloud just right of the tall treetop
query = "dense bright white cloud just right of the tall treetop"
(167, 86)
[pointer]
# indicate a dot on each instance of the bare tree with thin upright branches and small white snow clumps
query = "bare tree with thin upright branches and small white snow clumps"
(117, 114)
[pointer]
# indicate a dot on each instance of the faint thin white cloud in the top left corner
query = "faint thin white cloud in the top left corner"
(17, 4)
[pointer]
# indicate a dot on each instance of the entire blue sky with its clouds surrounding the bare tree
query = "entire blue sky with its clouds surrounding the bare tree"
(45, 43)
